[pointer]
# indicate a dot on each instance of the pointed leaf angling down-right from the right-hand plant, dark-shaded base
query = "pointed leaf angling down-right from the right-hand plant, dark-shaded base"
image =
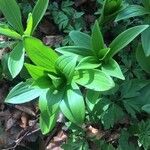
(112, 68)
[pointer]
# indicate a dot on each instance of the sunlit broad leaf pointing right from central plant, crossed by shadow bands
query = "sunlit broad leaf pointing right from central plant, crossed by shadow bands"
(94, 79)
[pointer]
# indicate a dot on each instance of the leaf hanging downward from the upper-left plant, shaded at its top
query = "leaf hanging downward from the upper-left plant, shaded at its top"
(16, 59)
